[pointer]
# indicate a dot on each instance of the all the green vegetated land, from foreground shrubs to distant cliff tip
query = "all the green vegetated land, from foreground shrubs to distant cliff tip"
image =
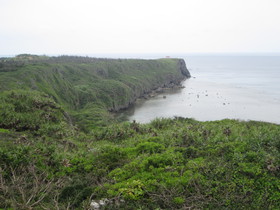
(61, 148)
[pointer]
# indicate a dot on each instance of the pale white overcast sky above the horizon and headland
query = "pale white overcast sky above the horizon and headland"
(139, 26)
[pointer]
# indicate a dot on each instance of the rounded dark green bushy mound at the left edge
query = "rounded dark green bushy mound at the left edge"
(31, 111)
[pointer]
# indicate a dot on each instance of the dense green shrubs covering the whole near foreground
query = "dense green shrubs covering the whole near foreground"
(167, 164)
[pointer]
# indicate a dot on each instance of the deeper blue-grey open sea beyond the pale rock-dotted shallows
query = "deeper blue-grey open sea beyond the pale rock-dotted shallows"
(259, 73)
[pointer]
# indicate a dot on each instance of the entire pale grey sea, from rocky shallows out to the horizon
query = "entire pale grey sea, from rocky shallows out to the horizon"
(221, 87)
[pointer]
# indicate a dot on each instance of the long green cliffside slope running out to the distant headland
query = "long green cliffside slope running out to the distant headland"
(89, 87)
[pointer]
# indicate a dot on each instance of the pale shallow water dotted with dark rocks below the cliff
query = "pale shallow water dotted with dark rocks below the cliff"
(205, 101)
